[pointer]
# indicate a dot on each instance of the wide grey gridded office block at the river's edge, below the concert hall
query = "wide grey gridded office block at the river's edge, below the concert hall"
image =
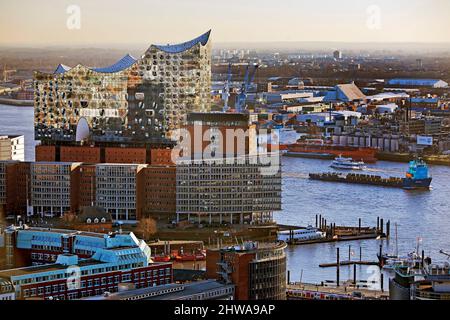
(234, 191)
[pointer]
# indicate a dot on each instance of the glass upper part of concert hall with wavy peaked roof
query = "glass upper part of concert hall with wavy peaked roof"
(142, 99)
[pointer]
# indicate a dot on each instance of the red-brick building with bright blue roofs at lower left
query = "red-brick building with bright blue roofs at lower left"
(67, 264)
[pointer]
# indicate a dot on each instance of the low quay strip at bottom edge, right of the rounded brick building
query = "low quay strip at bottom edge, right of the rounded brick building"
(346, 291)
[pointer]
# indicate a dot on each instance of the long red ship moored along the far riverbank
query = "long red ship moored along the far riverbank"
(317, 148)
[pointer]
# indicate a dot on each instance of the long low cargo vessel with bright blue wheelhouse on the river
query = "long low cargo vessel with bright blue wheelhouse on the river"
(417, 177)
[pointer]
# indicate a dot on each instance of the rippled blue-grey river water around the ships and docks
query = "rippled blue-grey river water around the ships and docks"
(418, 214)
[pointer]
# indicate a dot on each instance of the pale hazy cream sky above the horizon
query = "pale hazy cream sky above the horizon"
(44, 22)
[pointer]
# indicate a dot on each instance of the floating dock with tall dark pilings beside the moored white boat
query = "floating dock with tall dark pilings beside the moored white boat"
(335, 233)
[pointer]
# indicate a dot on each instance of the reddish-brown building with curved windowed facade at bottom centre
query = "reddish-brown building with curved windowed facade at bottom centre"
(258, 270)
